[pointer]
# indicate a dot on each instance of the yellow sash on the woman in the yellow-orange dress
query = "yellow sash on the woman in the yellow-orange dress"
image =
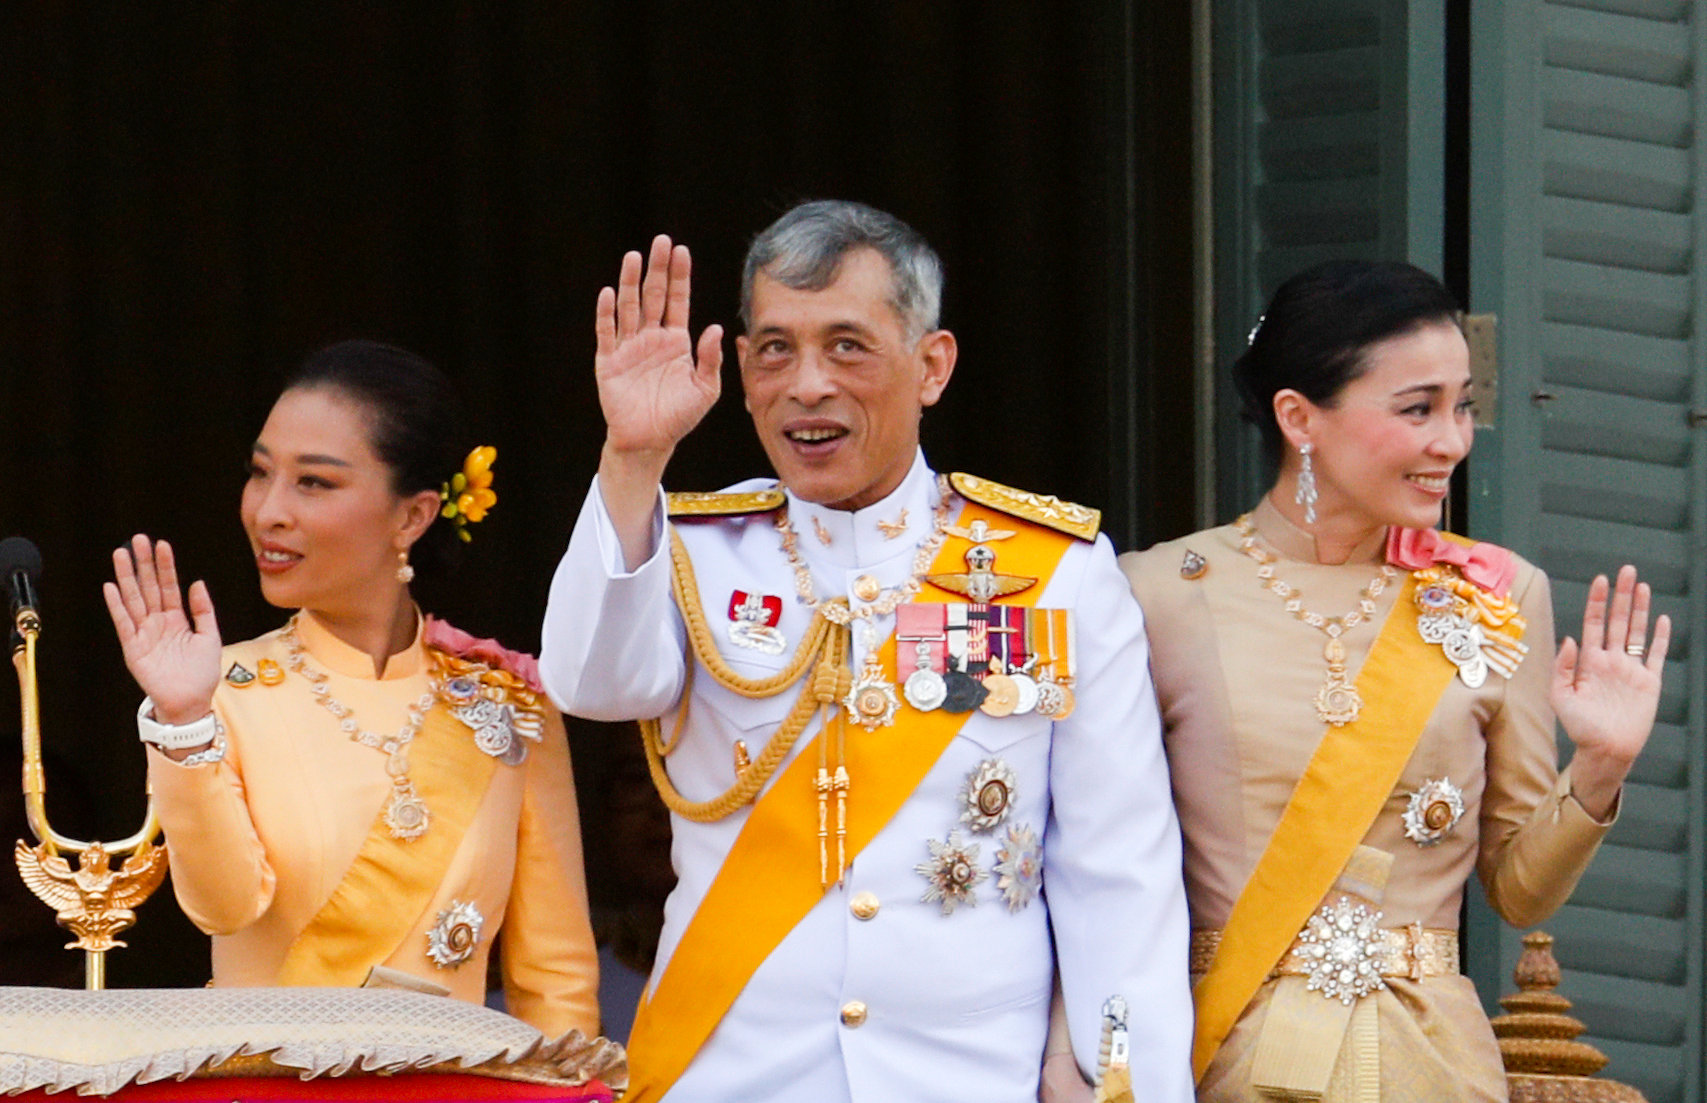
(392, 882)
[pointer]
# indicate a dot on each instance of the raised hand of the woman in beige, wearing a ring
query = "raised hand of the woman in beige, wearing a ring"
(1607, 689)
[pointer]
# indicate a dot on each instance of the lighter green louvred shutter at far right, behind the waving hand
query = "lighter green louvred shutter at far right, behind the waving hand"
(1587, 180)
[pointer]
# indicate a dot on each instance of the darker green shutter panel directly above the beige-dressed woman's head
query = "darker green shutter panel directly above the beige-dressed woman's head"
(1329, 127)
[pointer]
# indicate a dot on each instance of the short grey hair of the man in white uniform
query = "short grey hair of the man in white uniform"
(805, 248)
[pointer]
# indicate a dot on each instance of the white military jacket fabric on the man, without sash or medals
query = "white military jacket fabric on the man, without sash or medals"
(955, 1005)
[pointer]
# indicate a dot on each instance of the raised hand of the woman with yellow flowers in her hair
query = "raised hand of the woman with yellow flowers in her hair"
(172, 655)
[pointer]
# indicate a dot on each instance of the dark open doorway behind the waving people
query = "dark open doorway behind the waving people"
(194, 197)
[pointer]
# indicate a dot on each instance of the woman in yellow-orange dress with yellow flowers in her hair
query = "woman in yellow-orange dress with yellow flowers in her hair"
(364, 795)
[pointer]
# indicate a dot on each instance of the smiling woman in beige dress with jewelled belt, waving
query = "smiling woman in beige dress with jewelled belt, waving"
(1360, 715)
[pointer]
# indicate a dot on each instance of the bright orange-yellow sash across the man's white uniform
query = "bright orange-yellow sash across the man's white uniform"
(769, 882)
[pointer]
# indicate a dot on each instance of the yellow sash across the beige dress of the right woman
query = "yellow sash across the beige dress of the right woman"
(1343, 791)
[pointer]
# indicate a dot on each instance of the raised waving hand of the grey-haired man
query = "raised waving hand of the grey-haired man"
(651, 387)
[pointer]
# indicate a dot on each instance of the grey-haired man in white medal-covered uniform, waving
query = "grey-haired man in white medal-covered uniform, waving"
(909, 735)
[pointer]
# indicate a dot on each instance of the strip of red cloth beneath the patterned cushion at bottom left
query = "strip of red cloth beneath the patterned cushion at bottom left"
(402, 1088)
